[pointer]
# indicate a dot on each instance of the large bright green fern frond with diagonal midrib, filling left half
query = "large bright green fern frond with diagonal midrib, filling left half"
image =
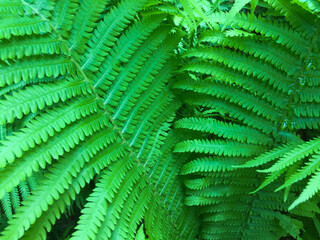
(95, 75)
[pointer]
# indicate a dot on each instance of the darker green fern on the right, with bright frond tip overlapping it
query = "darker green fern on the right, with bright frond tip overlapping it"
(253, 73)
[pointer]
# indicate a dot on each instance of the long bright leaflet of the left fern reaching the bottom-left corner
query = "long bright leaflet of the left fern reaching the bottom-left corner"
(56, 182)
